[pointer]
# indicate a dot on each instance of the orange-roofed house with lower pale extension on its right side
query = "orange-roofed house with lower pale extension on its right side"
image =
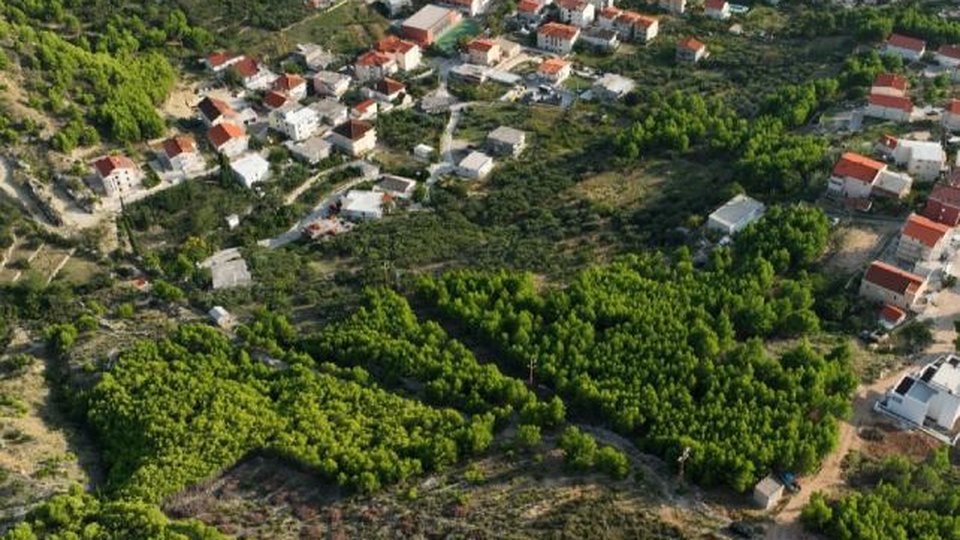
(859, 177)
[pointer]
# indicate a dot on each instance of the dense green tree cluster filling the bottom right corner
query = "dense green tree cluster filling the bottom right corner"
(897, 499)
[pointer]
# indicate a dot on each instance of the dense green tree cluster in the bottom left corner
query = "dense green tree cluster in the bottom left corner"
(79, 515)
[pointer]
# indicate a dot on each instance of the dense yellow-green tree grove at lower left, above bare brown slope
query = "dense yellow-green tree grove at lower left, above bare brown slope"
(172, 412)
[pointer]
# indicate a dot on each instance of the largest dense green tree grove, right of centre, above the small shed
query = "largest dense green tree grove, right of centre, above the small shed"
(655, 349)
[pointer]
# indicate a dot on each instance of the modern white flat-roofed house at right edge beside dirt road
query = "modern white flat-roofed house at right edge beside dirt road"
(931, 396)
